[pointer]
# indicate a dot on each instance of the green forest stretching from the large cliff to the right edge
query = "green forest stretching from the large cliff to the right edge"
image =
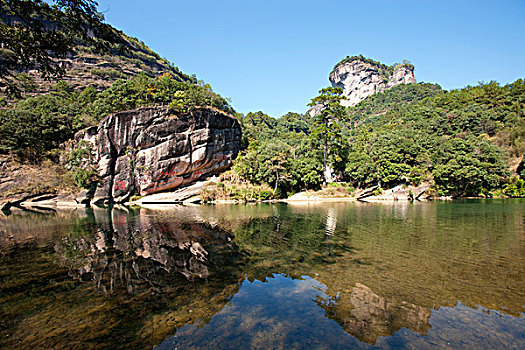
(466, 142)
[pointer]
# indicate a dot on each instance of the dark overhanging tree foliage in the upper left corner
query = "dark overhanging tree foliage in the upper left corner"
(33, 34)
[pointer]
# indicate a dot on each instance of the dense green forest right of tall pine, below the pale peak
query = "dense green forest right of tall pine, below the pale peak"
(450, 139)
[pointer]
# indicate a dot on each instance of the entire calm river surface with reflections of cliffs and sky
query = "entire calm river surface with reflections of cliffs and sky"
(332, 276)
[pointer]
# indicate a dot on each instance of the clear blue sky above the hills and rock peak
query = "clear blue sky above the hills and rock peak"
(275, 55)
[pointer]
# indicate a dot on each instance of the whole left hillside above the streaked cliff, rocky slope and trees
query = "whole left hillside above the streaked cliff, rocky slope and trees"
(63, 69)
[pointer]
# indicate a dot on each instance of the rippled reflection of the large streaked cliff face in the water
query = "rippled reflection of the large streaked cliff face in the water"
(135, 251)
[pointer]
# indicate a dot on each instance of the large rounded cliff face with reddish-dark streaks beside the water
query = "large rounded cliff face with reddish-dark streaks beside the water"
(147, 150)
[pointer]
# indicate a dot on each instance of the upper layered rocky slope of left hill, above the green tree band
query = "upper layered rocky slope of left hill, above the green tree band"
(87, 58)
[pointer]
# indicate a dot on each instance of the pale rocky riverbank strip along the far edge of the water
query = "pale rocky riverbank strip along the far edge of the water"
(50, 187)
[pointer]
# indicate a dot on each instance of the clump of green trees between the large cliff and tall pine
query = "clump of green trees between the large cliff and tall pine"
(280, 152)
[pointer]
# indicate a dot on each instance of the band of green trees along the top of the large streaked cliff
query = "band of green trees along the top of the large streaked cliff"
(35, 126)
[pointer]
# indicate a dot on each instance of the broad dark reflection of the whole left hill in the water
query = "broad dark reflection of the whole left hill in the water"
(141, 267)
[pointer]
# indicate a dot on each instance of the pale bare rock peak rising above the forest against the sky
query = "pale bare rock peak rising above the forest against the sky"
(361, 79)
